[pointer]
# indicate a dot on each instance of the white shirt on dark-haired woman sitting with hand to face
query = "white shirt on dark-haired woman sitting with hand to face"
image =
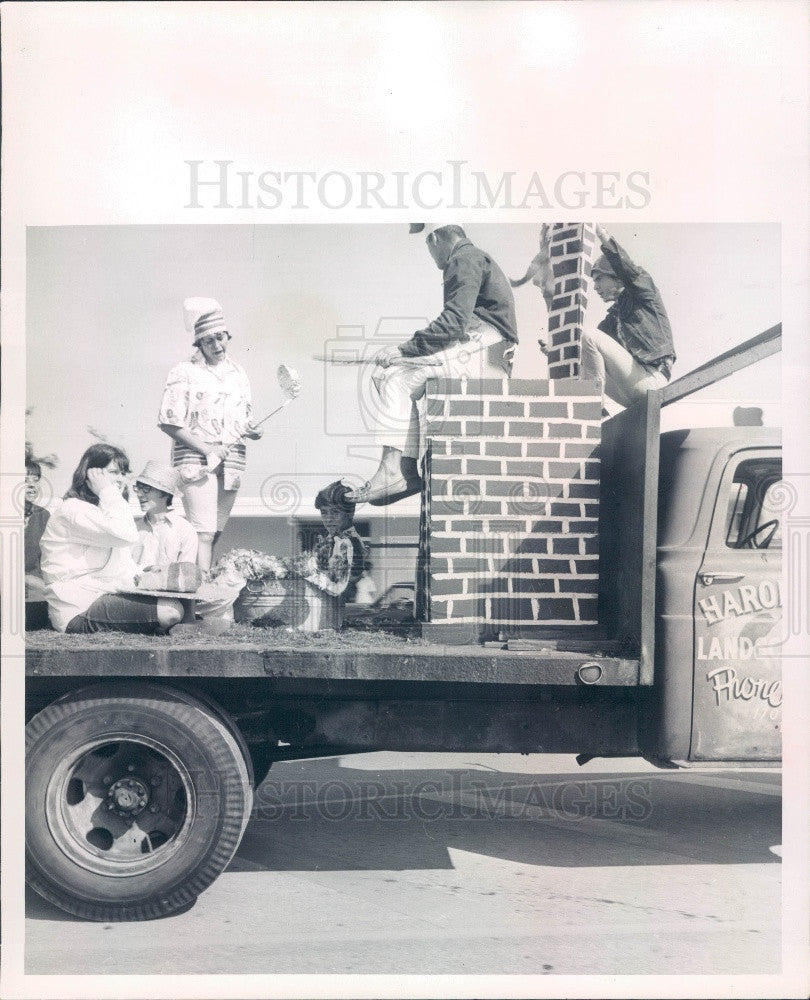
(86, 553)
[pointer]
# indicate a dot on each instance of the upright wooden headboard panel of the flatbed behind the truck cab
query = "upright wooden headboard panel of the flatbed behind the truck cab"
(628, 513)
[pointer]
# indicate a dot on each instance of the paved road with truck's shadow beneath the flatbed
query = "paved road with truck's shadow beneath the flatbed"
(470, 863)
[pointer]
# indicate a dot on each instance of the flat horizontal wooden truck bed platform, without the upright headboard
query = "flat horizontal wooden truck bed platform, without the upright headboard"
(349, 655)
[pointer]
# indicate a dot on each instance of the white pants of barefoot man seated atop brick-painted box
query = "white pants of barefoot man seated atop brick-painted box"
(398, 391)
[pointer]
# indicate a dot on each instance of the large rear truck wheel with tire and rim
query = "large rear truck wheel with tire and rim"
(136, 799)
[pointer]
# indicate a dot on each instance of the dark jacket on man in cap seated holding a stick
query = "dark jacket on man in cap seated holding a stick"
(474, 287)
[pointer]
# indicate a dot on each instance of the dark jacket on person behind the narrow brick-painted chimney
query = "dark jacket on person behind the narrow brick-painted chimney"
(637, 319)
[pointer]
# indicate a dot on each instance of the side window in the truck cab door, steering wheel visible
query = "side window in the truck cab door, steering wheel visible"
(753, 519)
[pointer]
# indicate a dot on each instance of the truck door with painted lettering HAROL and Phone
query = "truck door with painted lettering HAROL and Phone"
(737, 695)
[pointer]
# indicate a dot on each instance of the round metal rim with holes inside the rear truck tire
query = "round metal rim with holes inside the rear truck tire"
(121, 805)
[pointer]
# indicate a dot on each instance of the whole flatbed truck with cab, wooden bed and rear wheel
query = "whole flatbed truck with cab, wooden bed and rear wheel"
(142, 754)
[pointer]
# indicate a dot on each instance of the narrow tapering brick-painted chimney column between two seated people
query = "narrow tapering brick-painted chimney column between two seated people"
(571, 249)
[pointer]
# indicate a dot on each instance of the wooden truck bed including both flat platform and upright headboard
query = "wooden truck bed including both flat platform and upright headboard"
(620, 654)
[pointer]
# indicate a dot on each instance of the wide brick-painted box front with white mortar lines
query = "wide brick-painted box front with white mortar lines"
(513, 474)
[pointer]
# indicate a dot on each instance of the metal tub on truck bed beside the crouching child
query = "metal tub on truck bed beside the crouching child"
(293, 603)
